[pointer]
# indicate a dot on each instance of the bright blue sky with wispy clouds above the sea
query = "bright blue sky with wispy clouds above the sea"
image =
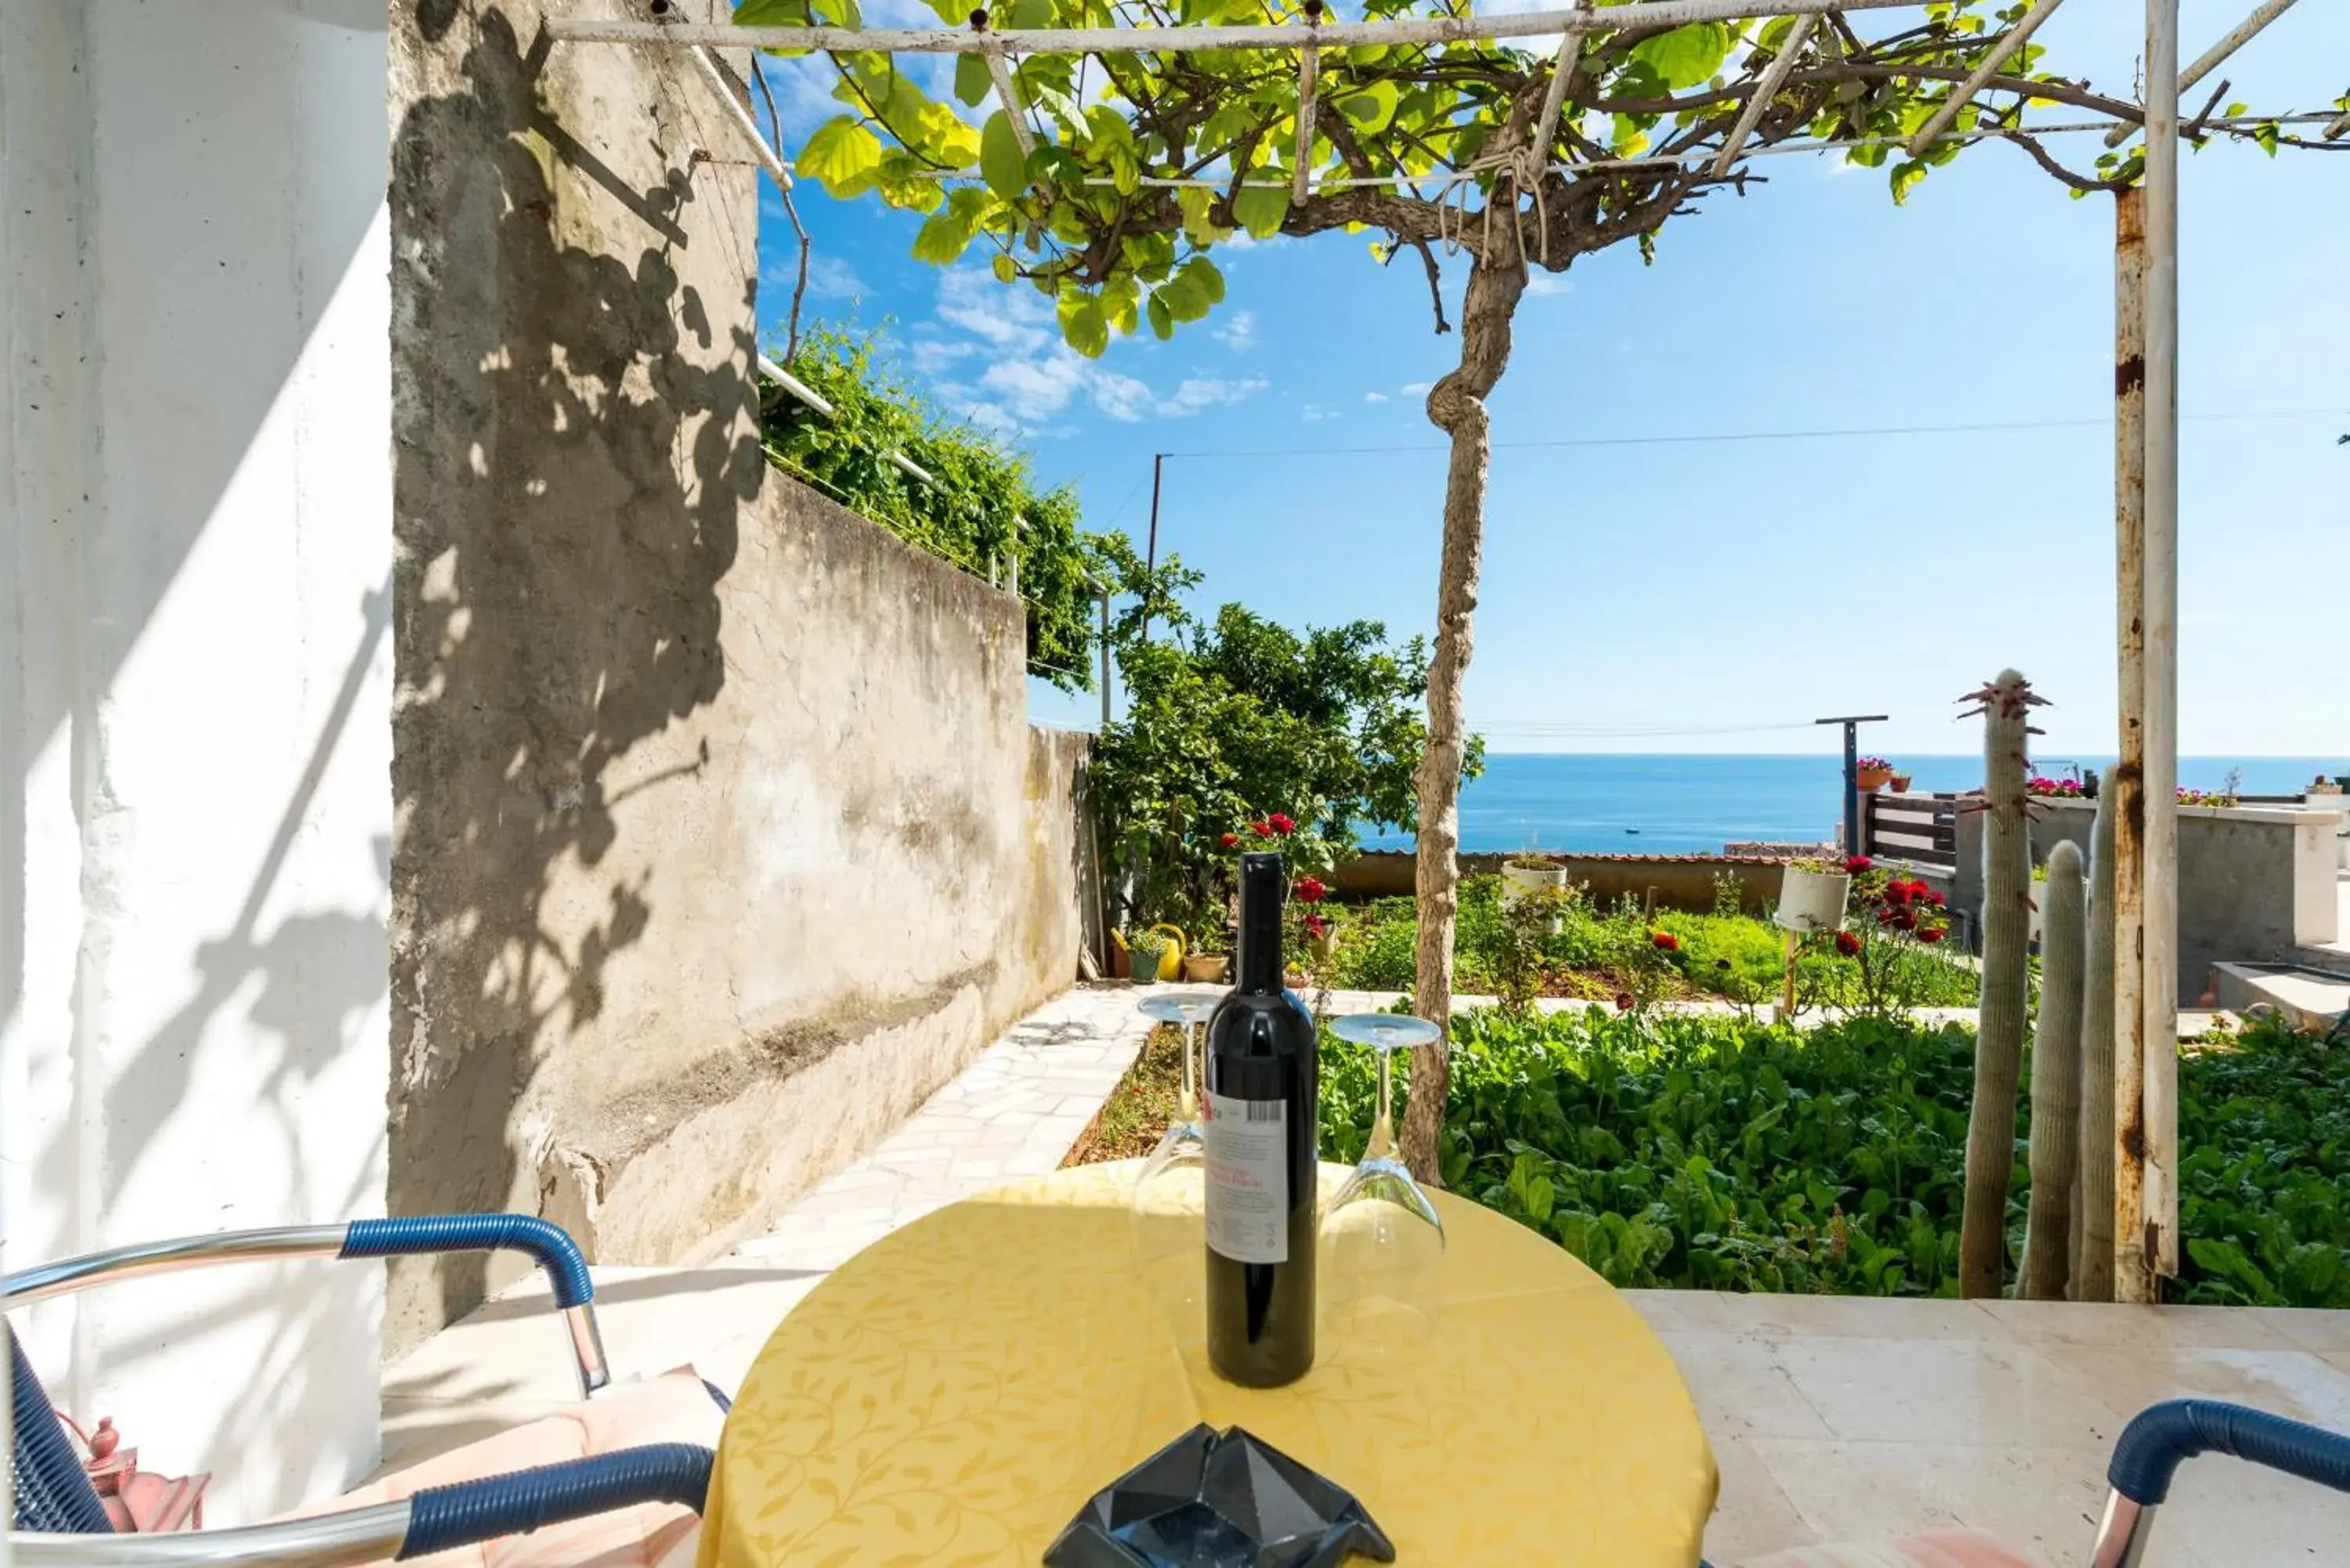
(1714, 589)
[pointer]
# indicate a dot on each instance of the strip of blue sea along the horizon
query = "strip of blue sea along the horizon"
(1677, 805)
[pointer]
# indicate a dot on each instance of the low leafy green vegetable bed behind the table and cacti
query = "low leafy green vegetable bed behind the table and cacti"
(1712, 1153)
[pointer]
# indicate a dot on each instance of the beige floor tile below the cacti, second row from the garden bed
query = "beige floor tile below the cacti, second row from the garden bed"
(1947, 1393)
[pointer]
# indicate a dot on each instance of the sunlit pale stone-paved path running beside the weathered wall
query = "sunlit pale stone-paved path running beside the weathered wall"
(1012, 1113)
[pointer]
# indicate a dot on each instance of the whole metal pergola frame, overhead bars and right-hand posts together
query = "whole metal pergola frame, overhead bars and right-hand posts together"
(2147, 408)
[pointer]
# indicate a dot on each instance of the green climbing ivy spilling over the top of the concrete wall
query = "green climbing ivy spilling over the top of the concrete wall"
(979, 502)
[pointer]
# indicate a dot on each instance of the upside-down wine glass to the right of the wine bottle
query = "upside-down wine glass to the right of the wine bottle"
(1381, 1235)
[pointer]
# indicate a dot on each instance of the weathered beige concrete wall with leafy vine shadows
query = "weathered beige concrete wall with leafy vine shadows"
(720, 831)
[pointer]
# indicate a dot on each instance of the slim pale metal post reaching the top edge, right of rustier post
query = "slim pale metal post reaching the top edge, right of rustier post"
(2161, 986)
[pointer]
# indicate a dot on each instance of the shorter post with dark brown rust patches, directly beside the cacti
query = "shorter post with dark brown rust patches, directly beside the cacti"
(2128, 779)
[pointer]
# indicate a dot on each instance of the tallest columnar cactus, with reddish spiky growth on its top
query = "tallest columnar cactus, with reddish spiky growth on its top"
(1999, 1040)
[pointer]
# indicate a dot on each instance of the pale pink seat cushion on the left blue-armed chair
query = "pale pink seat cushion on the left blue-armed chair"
(669, 1409)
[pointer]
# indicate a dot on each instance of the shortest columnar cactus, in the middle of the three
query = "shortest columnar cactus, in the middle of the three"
(2048, 1238)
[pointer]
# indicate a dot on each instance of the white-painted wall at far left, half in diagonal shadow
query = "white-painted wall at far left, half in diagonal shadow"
(196, 709)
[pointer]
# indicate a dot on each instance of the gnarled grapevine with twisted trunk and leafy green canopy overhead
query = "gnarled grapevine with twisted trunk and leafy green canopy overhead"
(1127, 170)
